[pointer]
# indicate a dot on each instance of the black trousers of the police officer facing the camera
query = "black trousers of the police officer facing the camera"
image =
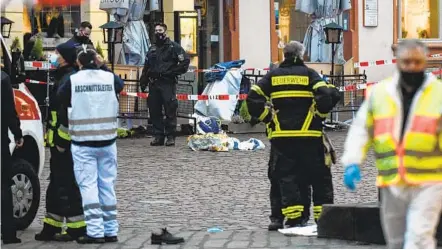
(162, 94)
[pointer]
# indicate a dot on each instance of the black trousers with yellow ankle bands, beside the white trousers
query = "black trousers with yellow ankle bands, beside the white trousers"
(63, 197)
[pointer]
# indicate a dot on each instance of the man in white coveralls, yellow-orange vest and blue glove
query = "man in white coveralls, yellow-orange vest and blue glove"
(401, 117)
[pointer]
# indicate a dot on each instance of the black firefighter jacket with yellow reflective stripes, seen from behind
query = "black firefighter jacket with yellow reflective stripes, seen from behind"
(300, 96)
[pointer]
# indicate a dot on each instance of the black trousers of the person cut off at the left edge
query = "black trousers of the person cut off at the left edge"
(8, 228)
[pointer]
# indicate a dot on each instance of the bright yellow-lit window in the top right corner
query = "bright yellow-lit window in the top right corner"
(420, 19)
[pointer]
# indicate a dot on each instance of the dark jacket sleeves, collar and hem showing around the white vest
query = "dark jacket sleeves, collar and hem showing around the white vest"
(64, 94)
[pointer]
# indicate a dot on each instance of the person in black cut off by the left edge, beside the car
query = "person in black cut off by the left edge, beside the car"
(10, 121)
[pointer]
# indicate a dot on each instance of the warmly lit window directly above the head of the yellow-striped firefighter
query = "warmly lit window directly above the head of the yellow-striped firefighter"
(291, 25)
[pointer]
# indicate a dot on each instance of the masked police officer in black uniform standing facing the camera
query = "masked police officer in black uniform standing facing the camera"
(165, 61)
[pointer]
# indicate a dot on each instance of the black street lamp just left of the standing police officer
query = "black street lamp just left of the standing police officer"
(112, 34)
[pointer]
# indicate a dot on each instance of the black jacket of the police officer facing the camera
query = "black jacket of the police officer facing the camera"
(164, 62)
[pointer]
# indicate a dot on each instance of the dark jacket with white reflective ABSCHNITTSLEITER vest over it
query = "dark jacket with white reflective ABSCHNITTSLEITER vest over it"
(91, 98)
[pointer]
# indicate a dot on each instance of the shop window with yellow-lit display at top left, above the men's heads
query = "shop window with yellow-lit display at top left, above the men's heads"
(59, 21)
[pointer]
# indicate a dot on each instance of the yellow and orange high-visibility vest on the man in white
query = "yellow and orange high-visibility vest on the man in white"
(417, 158)
